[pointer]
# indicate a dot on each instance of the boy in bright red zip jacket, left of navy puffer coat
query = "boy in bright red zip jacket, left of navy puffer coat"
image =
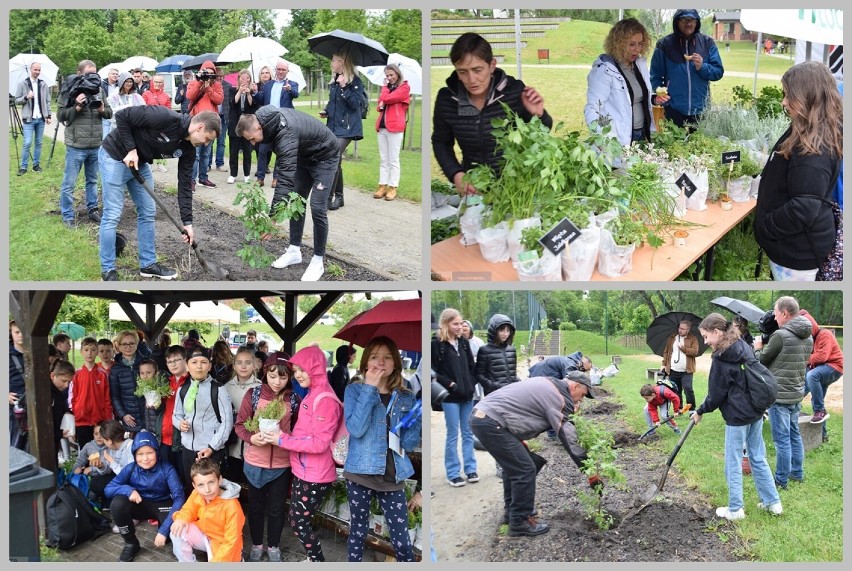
(89, 394)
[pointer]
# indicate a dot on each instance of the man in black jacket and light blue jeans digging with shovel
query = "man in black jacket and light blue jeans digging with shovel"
(143, 134)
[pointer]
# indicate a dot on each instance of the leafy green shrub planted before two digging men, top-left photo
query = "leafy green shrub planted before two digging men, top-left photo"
(258, 222)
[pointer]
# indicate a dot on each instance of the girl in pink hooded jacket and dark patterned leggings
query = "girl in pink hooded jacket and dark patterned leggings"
(313, 468)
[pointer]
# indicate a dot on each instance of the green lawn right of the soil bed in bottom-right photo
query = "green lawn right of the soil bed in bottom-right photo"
(811, 528)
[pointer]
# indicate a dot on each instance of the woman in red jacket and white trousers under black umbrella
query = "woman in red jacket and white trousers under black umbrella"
(393, 107)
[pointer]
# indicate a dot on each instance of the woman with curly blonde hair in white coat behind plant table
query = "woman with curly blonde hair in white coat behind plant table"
(619, 93)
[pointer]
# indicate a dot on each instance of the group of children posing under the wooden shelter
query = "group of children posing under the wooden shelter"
(173, 470)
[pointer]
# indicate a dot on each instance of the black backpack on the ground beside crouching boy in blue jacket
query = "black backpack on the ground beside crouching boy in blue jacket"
(70, 519)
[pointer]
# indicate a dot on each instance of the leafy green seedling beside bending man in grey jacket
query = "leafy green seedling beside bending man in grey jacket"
(601, 457)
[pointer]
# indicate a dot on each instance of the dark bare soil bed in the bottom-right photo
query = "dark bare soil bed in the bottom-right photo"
(678, 525)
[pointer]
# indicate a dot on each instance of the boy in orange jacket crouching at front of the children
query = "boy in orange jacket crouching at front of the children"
(211, 519)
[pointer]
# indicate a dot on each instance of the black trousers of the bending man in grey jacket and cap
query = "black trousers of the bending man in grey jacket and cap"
(519, 471)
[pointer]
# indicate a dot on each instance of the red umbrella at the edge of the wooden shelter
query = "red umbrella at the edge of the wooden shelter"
(397, 319)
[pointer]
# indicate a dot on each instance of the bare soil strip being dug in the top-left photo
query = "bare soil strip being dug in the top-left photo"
(219, 236)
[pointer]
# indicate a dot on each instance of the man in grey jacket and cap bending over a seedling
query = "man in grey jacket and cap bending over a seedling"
(520, 411)
